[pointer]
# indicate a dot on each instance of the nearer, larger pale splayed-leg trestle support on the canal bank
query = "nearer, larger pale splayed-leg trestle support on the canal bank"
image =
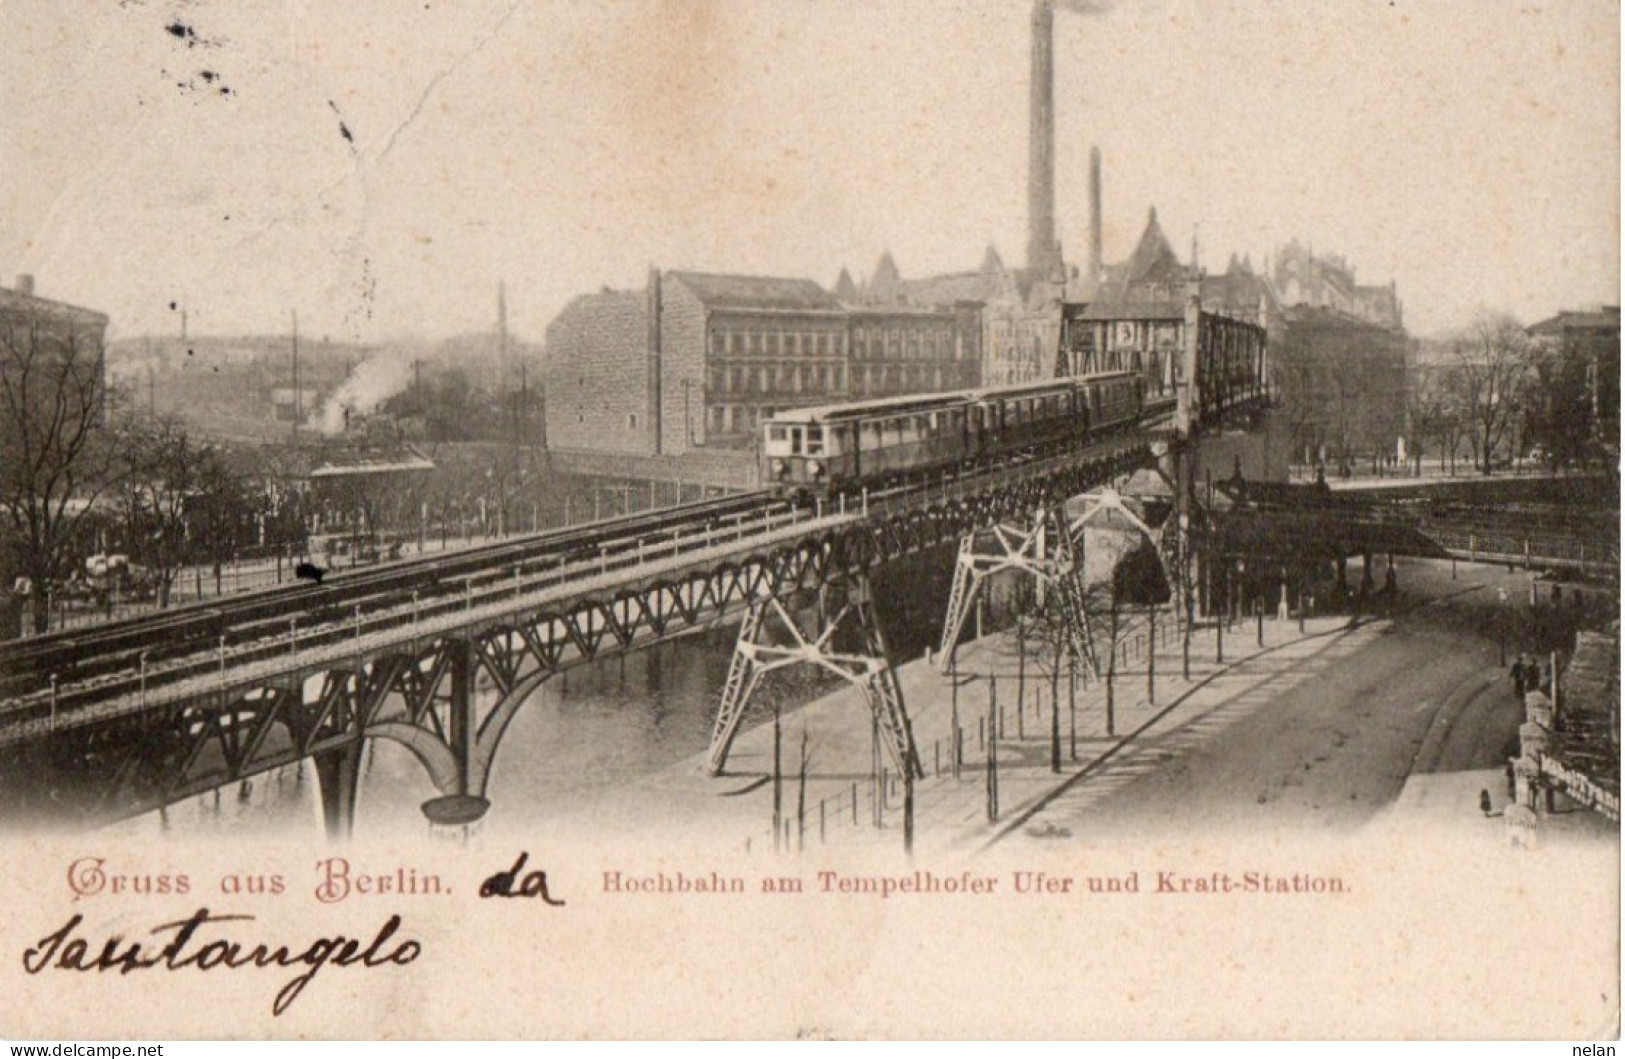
(760, 651)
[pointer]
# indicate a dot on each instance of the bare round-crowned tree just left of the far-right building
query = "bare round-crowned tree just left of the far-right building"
(1491, 361)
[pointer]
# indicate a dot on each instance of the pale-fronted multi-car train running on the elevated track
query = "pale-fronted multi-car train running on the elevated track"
(867, 444)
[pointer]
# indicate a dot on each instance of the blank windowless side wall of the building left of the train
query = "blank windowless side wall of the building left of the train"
(599, 376)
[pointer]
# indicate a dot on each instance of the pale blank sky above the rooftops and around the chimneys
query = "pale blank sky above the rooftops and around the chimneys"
(381, 166)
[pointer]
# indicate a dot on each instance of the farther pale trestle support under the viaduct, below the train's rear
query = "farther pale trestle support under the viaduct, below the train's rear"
(1047, 551)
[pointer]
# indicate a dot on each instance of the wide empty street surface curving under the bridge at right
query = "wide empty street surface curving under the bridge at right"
(1327, 741)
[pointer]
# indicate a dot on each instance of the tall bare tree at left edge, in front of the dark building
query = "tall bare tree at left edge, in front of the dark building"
(56, 459)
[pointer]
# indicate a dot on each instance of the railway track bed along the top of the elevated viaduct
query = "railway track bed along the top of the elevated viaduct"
(129, 667)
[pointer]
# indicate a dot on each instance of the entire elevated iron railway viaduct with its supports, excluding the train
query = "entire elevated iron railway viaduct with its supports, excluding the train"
(441, 654)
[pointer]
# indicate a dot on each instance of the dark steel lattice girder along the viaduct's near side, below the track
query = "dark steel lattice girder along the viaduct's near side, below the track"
(175, 753)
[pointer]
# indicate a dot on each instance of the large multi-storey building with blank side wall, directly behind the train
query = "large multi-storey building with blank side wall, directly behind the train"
(700, 360)
